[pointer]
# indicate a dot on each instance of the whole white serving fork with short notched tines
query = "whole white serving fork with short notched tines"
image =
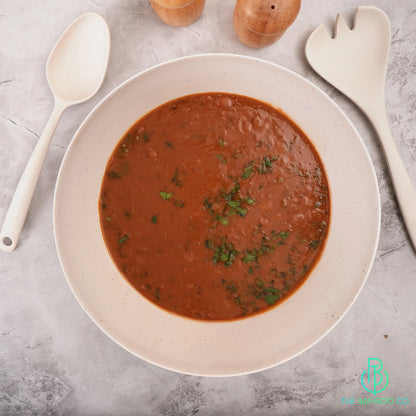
(355, 62)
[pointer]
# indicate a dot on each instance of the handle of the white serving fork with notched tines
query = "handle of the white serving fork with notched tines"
(405, 191)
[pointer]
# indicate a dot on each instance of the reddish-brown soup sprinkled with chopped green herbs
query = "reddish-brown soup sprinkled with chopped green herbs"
(215, 206)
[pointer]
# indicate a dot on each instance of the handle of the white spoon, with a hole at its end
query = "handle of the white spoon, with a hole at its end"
(16, 215)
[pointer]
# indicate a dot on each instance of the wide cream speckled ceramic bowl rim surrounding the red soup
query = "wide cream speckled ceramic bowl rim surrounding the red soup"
(218, 348)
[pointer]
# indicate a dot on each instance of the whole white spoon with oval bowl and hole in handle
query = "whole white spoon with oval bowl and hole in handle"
(75, 71)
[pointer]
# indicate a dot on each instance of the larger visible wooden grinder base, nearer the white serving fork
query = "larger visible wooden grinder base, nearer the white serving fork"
(259, 23)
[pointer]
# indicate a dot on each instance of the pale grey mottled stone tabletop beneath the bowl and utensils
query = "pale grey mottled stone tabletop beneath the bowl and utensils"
(55, 361)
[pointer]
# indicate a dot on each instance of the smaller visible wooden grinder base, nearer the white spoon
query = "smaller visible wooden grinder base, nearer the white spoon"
(178, 12)
